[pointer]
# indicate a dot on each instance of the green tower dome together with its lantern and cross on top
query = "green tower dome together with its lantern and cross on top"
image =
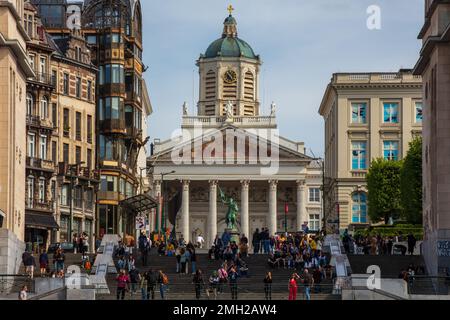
(230, 45)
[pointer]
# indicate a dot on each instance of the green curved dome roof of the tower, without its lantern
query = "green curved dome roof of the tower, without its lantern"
(230, 47)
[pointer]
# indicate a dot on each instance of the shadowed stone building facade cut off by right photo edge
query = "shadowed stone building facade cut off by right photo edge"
(434, 67)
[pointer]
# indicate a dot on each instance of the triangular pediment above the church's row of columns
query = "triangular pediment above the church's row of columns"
(237, 143)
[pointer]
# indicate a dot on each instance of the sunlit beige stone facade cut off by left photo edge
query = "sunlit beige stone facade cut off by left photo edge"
(14, 70)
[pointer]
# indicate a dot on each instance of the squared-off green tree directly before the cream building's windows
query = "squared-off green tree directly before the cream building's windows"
(383, 184)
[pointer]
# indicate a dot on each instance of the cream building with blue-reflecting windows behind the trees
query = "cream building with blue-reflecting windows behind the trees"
(367, 116)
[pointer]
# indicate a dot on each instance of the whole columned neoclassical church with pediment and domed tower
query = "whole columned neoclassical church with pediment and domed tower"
(230, 147)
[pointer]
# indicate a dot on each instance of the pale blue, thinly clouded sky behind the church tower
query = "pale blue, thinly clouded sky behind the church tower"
(301, 43)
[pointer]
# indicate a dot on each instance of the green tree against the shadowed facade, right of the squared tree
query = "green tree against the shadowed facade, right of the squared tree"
(411, 183)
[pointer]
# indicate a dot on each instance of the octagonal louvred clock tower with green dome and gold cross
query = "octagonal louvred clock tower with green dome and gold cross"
(229, 71)
